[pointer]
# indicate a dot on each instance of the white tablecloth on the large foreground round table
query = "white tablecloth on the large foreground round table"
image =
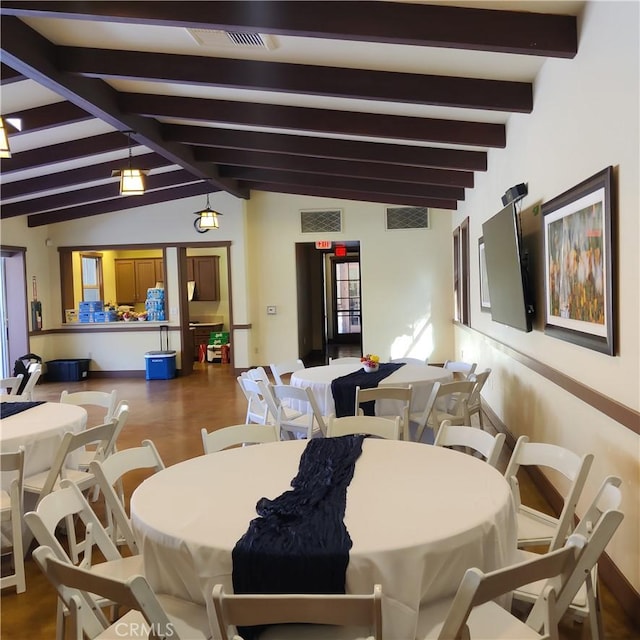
(418, 515)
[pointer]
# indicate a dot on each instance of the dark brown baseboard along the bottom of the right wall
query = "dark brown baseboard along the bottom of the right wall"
(623, 591)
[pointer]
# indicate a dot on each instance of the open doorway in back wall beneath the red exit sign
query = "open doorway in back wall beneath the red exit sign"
(328, 302)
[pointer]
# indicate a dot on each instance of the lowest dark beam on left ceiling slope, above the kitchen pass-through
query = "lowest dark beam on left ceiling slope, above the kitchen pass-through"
(121, 203)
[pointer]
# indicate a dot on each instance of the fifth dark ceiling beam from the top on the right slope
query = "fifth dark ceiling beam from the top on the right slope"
(379, 170)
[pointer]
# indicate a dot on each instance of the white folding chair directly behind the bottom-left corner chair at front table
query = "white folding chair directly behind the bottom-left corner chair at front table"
(69, 505)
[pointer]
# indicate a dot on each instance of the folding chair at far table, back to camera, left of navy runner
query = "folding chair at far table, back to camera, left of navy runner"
(298, 413)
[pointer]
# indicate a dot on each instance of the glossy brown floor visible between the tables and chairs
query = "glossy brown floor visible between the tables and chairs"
(171, 413)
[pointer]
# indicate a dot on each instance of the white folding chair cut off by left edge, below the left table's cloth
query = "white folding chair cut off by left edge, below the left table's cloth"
(11, 507)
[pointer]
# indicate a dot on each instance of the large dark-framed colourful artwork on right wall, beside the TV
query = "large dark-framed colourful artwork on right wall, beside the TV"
(579, 263)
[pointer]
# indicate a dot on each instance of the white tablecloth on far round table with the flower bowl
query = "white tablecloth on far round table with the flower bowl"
(421, 377)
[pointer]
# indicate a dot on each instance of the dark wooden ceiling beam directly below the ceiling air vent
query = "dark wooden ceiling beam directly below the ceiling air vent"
(411, 88)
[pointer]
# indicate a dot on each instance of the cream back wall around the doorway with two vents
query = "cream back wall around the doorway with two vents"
(406, 278)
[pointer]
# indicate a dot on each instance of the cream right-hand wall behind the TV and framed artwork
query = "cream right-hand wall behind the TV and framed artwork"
(585, 118)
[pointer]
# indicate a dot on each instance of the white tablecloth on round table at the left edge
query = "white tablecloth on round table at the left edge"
(40, 430)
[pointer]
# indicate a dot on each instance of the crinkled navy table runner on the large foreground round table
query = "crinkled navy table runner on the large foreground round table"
(299, 543)
